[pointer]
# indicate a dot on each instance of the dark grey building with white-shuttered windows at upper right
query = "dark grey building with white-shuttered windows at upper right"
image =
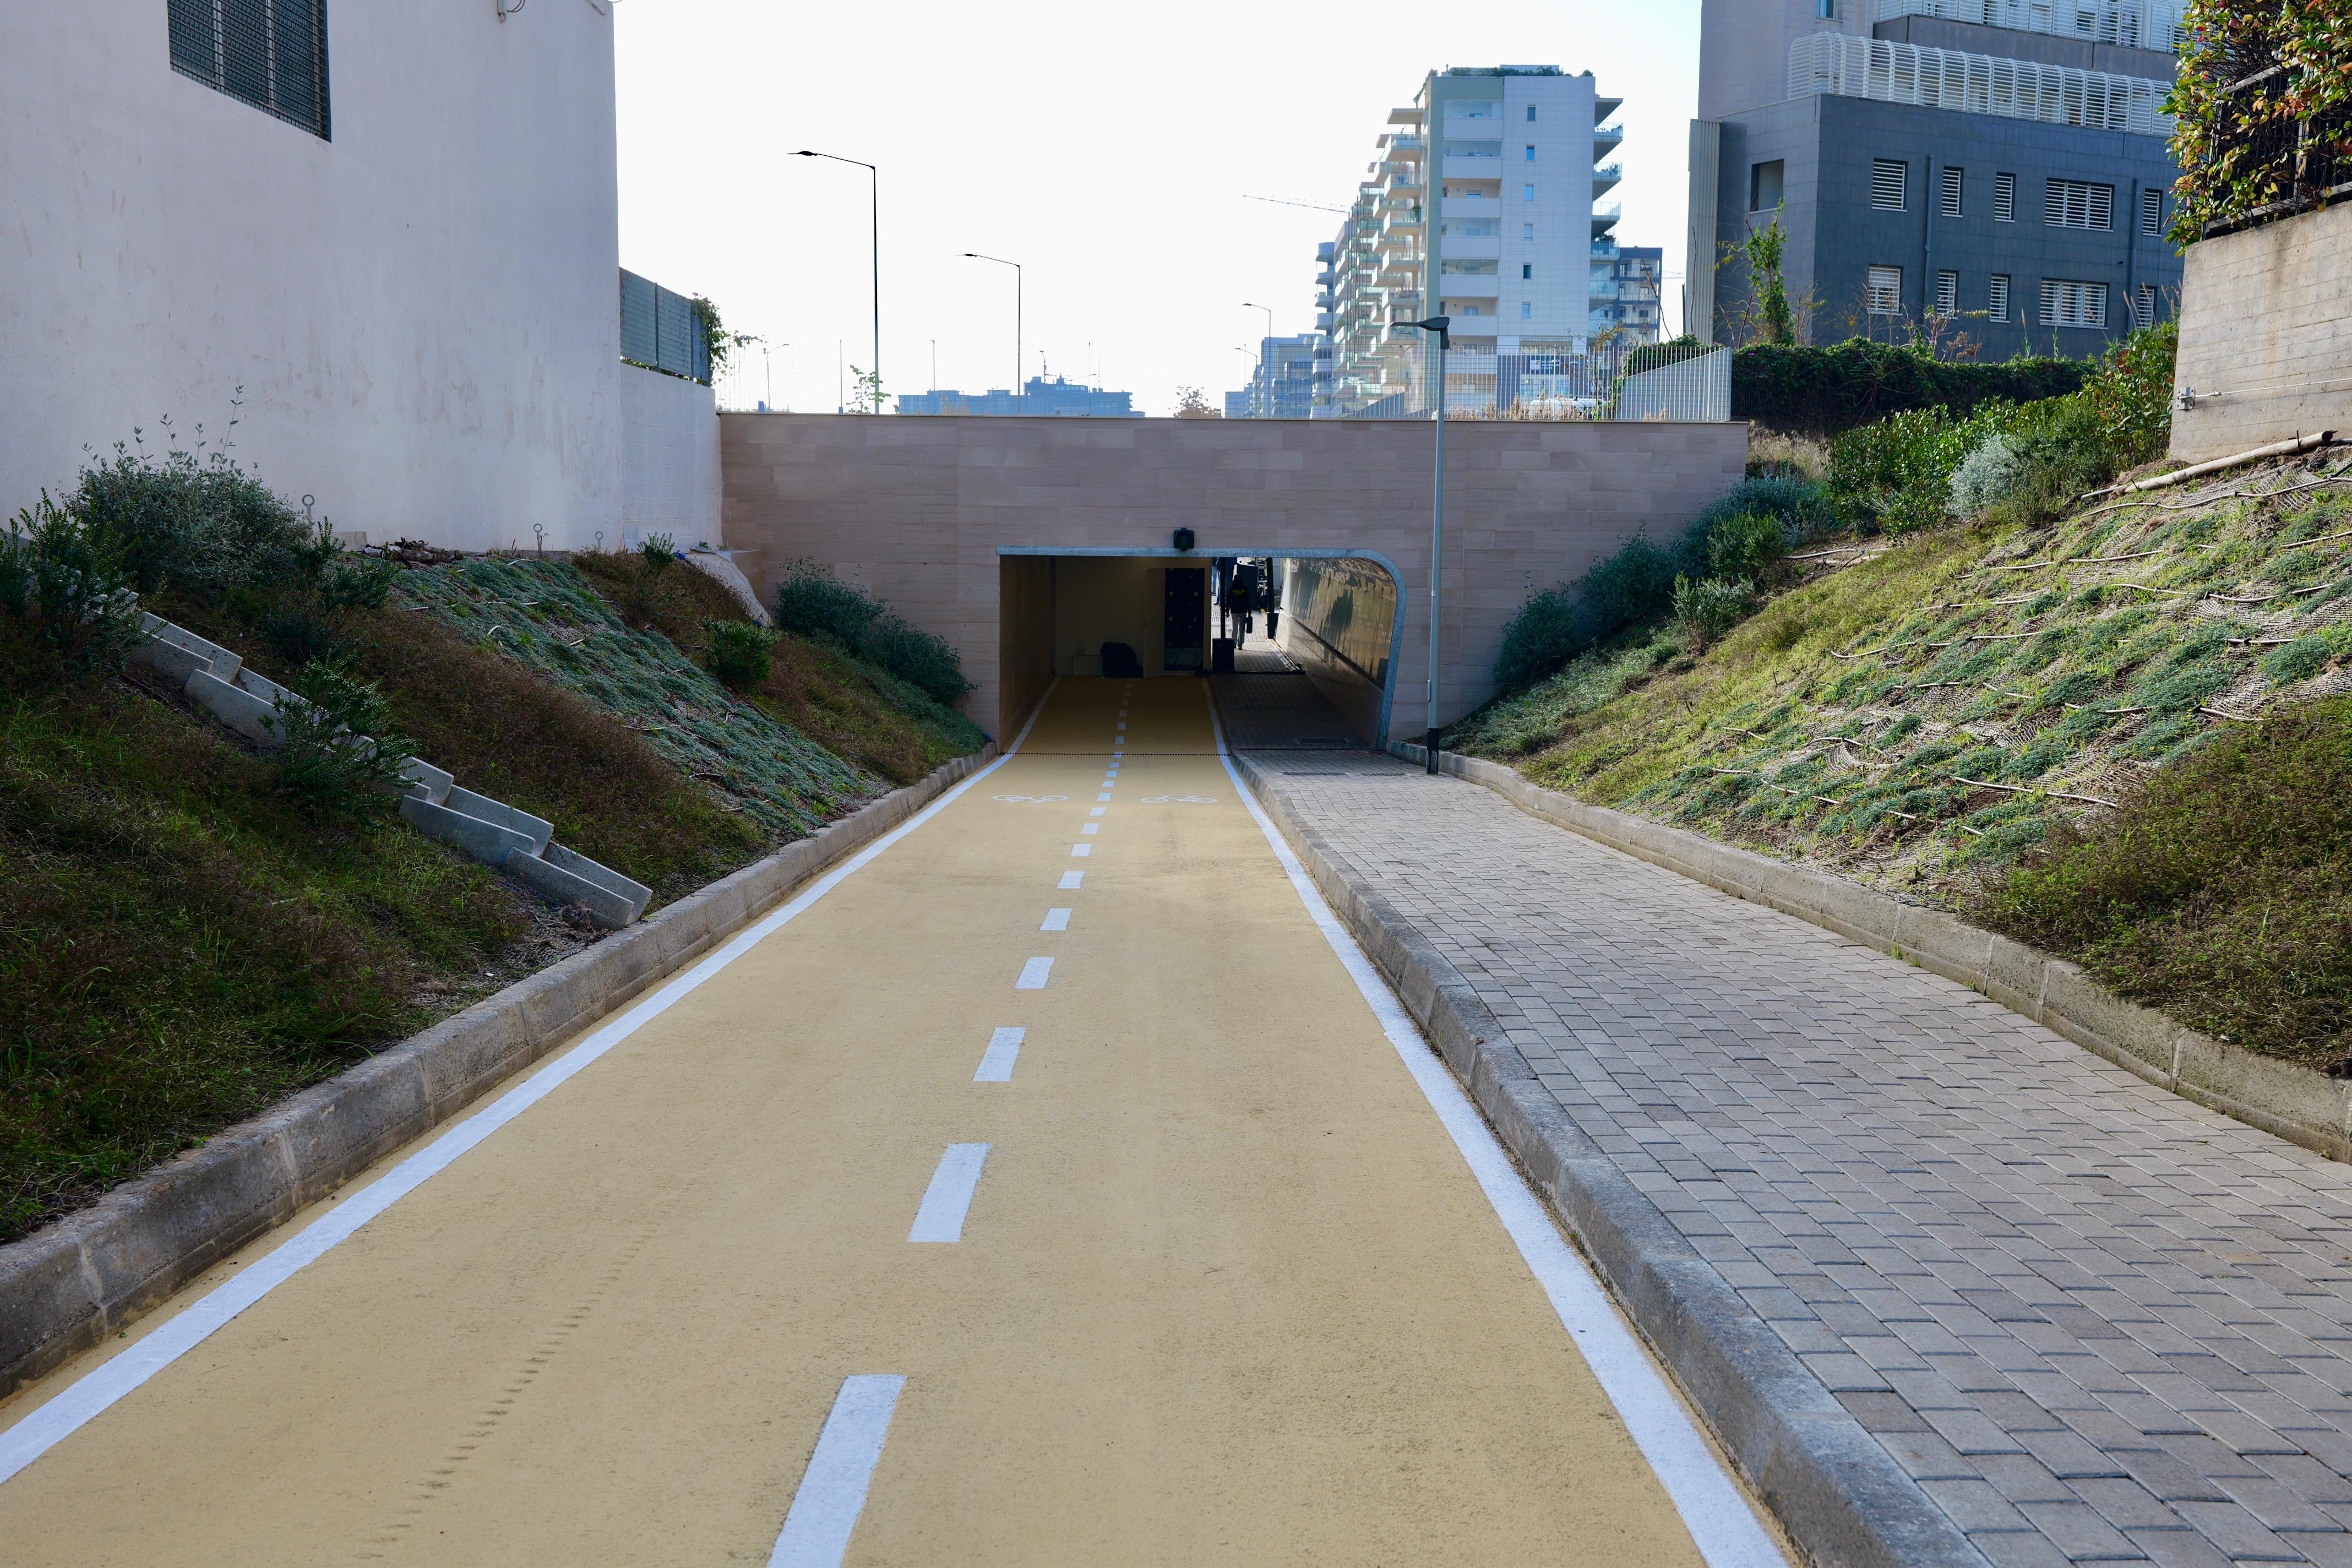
(1993, 170)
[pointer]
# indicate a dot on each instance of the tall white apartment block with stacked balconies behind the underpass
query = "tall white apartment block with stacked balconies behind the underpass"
(1483, 203)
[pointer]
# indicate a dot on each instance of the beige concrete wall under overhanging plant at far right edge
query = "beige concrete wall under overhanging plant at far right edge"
(2266, 337)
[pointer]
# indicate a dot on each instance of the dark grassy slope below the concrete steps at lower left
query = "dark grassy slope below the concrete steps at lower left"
(182, 944)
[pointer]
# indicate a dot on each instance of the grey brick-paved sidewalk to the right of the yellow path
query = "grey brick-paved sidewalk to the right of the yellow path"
(2092, 1320)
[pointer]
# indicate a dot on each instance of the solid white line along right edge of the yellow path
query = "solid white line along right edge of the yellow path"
(1713, 1508)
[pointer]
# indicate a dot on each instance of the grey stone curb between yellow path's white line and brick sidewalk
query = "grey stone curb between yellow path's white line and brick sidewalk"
(1833, 1487)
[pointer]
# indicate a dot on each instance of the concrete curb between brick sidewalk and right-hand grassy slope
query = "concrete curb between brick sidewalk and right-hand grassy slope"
(2283, 1099)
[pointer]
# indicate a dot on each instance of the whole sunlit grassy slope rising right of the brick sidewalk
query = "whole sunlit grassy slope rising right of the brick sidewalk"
(1840, 723)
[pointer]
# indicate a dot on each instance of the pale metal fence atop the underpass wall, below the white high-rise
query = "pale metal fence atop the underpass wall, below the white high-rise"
(1612, 382)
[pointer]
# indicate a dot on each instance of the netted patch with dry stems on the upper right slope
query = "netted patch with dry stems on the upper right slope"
(2050, 676)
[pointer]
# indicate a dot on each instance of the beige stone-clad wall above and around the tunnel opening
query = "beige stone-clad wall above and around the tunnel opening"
(926, 511)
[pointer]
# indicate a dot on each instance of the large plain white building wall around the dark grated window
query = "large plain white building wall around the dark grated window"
(422, 311)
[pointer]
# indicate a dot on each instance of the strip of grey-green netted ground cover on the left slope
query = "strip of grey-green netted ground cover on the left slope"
(554, 622)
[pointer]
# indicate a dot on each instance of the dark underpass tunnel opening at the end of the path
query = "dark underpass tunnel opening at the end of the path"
(1297, 648)
